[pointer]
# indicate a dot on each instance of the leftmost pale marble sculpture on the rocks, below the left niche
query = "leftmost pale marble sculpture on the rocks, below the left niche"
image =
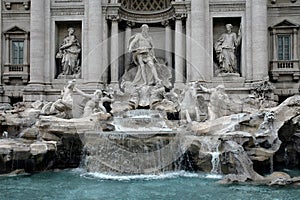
(63, 106)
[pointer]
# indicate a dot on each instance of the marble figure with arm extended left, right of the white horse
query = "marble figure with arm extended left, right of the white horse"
(218, 102)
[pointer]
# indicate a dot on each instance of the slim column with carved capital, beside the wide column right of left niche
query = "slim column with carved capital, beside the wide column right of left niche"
(114, 50)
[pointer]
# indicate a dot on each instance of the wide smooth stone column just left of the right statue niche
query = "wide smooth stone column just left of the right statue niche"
(198, 69)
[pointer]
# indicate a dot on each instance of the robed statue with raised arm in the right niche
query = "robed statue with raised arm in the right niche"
(225, 50)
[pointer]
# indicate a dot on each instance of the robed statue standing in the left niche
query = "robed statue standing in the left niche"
(68, 56)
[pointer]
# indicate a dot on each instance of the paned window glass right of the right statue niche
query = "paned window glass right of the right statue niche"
(284, 47)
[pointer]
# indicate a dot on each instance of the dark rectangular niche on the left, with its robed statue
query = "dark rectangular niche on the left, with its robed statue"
(68, 50)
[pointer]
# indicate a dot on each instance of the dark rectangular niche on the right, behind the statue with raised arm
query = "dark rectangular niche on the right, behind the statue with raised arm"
(219, 28)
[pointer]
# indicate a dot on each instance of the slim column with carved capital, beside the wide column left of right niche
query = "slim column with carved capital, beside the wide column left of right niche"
(179, 62)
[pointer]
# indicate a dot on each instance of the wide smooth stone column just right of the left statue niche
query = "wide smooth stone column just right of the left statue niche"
(95, 69)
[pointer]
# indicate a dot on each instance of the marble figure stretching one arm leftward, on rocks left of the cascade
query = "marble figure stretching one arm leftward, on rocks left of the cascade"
(94, 103)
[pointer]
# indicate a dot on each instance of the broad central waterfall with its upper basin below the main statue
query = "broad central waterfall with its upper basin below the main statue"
(142, 143)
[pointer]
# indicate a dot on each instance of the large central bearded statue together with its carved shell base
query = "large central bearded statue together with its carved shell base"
(147, 76)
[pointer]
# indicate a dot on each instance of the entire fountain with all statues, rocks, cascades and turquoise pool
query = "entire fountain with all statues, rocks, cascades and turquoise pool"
(196, 142)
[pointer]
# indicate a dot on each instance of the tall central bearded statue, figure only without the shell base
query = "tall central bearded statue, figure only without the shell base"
(141, 47)
